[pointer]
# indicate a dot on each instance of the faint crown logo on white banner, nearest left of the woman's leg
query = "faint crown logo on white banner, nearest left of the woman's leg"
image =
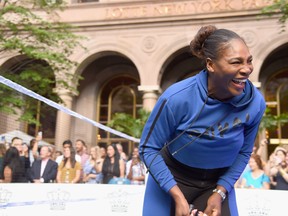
(118, 201)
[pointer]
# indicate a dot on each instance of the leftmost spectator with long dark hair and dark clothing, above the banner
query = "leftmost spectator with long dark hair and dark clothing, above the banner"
(13, 168)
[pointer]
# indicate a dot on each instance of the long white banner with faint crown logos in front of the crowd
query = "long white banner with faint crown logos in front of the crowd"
(113, 200)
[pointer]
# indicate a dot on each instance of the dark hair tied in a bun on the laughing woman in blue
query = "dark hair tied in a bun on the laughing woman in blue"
(210, 41)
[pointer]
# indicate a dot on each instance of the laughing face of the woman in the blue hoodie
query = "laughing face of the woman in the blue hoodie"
(229, 72)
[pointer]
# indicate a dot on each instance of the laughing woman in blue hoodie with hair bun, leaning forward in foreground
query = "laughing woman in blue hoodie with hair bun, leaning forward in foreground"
(200, 134)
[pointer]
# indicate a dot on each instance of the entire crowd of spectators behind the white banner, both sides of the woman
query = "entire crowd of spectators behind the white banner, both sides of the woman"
(20, 162)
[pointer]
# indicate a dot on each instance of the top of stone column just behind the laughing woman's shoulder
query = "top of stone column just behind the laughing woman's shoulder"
(150, 96)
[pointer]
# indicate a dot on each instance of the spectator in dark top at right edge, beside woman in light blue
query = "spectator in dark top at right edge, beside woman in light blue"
(278, 169)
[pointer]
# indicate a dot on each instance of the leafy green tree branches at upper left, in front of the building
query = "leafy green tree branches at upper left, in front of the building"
(41, 46)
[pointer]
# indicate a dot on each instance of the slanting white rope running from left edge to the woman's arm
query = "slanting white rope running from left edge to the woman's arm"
(32, 94)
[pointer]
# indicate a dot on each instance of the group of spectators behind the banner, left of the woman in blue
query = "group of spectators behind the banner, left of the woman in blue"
(75, 163)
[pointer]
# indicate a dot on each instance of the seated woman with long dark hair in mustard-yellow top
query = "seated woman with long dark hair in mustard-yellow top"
(69, 170)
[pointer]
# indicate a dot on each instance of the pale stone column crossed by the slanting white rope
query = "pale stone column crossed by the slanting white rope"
(63, 122)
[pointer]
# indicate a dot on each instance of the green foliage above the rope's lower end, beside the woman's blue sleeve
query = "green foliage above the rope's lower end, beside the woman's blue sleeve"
(125, 123)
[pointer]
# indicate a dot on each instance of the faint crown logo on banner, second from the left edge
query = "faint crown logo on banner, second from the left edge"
(58, 199)
